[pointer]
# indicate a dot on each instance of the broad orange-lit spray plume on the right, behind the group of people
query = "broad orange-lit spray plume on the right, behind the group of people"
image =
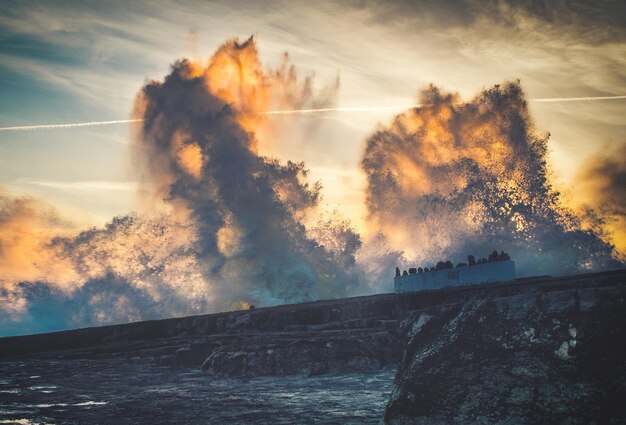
(454, 178)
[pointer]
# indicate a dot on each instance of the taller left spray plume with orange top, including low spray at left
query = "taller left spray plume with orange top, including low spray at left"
(223, 226)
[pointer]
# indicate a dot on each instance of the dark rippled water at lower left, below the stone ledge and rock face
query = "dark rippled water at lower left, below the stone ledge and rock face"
(117, 391)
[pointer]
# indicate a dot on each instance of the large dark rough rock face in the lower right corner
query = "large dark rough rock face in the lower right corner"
(548, 354)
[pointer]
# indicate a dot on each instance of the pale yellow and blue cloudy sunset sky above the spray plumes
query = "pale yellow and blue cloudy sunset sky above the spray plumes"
(66, 62)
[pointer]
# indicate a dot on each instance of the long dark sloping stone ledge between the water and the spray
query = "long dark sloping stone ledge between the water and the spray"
(191, 340)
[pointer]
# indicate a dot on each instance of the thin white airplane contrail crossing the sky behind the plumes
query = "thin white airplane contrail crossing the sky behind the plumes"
(305, 111)
